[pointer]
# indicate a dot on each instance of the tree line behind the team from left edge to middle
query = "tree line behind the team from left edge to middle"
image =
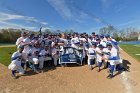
(10, 35)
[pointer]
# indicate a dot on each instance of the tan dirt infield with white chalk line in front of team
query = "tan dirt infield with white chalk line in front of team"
(74, 80)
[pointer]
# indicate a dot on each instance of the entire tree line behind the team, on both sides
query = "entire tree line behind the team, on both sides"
(128, 34)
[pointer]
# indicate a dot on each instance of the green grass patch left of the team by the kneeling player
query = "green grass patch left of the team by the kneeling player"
(5, 55)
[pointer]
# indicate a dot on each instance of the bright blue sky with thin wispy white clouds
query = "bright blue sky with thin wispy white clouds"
(79, 15)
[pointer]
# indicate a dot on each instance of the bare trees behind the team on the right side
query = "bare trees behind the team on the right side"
(126, 34)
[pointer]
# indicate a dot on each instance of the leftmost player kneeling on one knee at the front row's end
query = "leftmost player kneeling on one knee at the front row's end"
(15, 65)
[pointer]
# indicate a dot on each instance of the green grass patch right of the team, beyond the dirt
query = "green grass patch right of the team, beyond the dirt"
(132, 50)
